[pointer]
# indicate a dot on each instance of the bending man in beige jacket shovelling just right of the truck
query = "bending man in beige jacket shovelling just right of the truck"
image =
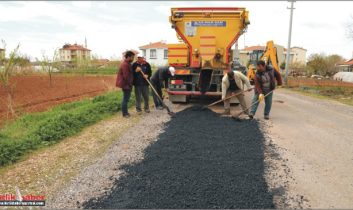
(232, 83)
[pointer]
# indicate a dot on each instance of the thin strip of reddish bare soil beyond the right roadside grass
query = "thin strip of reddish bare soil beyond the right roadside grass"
(297, 82)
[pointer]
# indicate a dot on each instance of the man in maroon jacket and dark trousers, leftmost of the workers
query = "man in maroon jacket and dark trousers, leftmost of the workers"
(124, 80)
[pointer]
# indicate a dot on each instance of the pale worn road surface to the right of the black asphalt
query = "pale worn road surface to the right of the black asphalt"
(317, 136)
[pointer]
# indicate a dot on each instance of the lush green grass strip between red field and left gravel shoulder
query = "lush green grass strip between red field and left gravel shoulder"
(33, 131)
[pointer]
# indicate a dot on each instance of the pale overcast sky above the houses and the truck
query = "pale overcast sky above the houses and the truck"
(112, 27)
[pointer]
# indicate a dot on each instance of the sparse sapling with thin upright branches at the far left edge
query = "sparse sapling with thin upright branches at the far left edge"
(6, 72)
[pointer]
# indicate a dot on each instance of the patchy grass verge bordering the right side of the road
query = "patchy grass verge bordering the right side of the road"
(340, 94)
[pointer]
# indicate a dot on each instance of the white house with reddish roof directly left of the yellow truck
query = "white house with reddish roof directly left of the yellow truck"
(155, 53)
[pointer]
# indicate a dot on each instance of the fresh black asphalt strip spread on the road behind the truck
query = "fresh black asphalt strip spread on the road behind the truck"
(202, 160)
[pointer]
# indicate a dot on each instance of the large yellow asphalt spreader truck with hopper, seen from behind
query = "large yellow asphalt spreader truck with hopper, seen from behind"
(202, 57)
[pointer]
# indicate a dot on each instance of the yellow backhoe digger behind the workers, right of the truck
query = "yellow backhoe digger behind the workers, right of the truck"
(269, 56)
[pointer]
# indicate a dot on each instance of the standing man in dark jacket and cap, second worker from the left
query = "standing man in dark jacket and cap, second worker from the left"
(140, 84)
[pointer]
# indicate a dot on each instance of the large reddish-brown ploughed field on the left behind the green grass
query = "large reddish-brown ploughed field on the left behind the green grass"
(33, 93)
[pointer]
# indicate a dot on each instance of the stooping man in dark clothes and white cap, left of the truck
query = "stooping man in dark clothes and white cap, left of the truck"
(159, 80)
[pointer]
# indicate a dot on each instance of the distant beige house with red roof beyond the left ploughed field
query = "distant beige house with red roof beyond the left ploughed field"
(74, 54)
